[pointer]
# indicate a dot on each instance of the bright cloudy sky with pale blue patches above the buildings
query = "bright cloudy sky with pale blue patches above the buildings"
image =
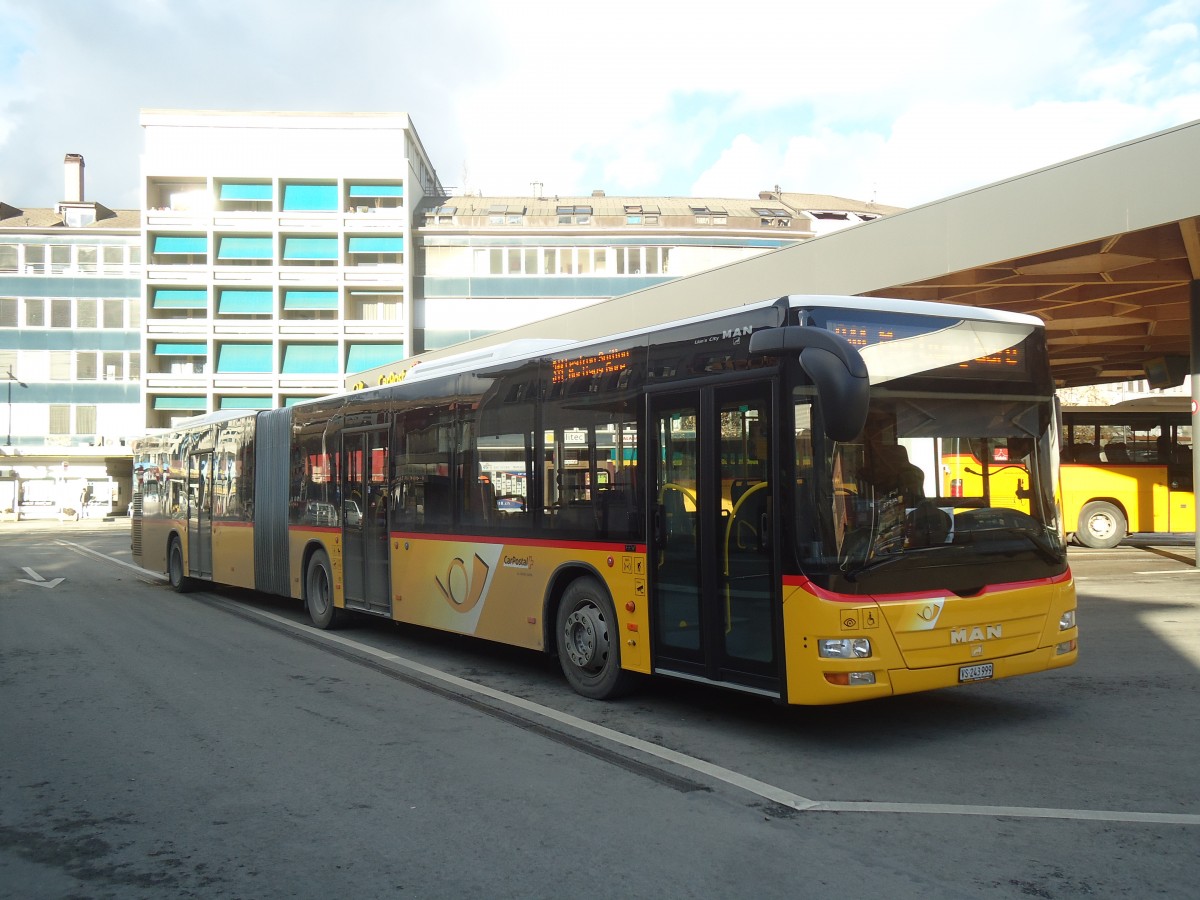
(873, 100)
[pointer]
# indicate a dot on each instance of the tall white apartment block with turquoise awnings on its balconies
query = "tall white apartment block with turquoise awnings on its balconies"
(278, 255)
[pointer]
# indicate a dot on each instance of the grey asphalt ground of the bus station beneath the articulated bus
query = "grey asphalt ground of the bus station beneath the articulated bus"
(214, 746)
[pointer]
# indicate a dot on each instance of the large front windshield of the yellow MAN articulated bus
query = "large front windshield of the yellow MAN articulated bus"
(931, 487)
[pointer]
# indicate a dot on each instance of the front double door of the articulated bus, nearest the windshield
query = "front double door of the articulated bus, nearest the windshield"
(713, 587)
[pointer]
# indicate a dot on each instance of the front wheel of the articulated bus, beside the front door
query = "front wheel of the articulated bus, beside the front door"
(589, 643)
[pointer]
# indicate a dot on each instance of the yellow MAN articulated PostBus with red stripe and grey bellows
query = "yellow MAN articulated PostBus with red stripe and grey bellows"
(723, 500)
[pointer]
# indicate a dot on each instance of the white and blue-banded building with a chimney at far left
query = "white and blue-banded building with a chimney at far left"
(70, 352)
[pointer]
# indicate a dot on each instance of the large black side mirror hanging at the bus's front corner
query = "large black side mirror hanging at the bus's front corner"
(836, 368)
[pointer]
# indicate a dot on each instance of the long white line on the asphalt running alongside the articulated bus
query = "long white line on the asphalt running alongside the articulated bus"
(719, 773)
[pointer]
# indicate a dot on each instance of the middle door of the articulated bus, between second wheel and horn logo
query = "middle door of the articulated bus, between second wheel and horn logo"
(365, 537)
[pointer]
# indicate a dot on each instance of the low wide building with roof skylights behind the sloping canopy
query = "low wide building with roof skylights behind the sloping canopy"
(490, 263)
